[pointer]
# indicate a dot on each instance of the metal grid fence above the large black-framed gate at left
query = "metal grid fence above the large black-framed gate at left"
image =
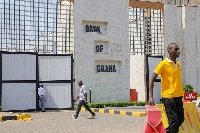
(43, 26)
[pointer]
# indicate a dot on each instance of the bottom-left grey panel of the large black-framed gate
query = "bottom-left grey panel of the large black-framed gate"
(18, 96)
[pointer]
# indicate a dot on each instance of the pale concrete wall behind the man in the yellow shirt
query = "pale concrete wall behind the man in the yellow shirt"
(182, 27)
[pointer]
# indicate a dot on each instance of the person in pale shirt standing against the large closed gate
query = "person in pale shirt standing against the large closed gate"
(41, 93)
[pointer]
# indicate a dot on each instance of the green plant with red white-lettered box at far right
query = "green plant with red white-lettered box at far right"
(189, 93)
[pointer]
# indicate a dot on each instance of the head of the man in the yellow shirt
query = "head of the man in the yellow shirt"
(173, 50)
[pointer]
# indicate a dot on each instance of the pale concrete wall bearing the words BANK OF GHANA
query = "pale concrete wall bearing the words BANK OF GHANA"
(112, 17)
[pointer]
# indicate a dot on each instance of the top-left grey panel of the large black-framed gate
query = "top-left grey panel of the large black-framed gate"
(18, 67)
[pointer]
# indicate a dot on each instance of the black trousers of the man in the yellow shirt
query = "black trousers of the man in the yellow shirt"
(175, 113)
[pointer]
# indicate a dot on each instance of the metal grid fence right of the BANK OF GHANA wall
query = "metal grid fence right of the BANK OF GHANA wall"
(146, 33)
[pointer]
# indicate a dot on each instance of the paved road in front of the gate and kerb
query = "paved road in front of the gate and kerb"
(61, 122)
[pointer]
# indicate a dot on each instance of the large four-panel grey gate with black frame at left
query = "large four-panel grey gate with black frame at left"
(22, 72)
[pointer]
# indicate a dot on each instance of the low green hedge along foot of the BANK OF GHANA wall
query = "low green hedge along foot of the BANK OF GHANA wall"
(116, 104)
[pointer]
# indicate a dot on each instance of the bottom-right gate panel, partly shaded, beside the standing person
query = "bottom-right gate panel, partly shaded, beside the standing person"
(58, 95)
